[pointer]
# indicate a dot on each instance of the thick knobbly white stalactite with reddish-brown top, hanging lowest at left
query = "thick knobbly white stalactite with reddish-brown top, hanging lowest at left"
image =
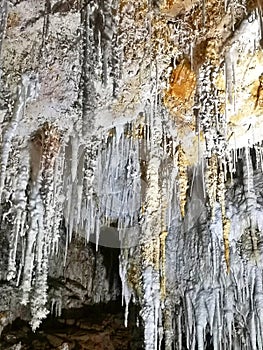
(39, 238)
